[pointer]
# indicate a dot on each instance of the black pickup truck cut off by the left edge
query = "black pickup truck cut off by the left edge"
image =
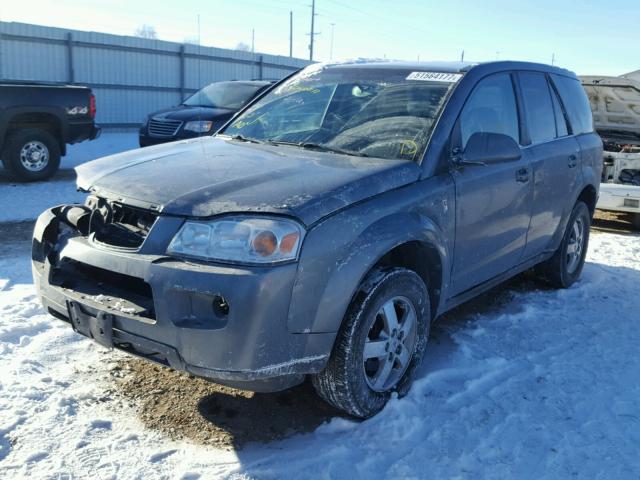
(37, 121)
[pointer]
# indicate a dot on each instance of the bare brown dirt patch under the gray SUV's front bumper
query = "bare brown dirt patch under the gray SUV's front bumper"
(183, 406)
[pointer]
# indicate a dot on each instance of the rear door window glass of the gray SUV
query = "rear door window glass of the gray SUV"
(538, 107)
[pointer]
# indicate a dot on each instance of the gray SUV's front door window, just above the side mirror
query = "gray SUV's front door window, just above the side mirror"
(491, 108)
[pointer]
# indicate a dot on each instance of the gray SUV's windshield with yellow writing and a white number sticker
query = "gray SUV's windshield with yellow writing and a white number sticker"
(366, 111)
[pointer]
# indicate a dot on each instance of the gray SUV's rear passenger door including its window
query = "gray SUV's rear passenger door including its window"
(554, 154)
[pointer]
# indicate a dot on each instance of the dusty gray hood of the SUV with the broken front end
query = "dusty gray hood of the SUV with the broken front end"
(211, 175)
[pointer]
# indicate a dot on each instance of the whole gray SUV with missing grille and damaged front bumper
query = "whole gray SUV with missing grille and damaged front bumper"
(328, 224)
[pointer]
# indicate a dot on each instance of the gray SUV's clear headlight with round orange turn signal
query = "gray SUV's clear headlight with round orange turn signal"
(239, 239)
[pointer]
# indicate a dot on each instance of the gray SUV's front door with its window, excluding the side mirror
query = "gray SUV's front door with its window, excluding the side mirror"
(493, 202)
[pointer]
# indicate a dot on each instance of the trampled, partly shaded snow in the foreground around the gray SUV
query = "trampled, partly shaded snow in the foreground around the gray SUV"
(545, 385)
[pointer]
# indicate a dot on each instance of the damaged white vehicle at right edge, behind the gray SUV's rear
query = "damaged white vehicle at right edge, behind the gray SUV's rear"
(615, 102)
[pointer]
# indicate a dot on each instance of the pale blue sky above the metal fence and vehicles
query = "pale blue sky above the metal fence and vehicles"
(589, 37)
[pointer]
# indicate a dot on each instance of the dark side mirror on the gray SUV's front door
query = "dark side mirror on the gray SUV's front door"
(484, 148)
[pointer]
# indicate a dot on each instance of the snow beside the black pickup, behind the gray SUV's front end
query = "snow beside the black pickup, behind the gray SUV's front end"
(26, 201)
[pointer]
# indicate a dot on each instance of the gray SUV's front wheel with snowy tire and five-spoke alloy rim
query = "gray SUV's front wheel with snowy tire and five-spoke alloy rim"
(380, 344)
